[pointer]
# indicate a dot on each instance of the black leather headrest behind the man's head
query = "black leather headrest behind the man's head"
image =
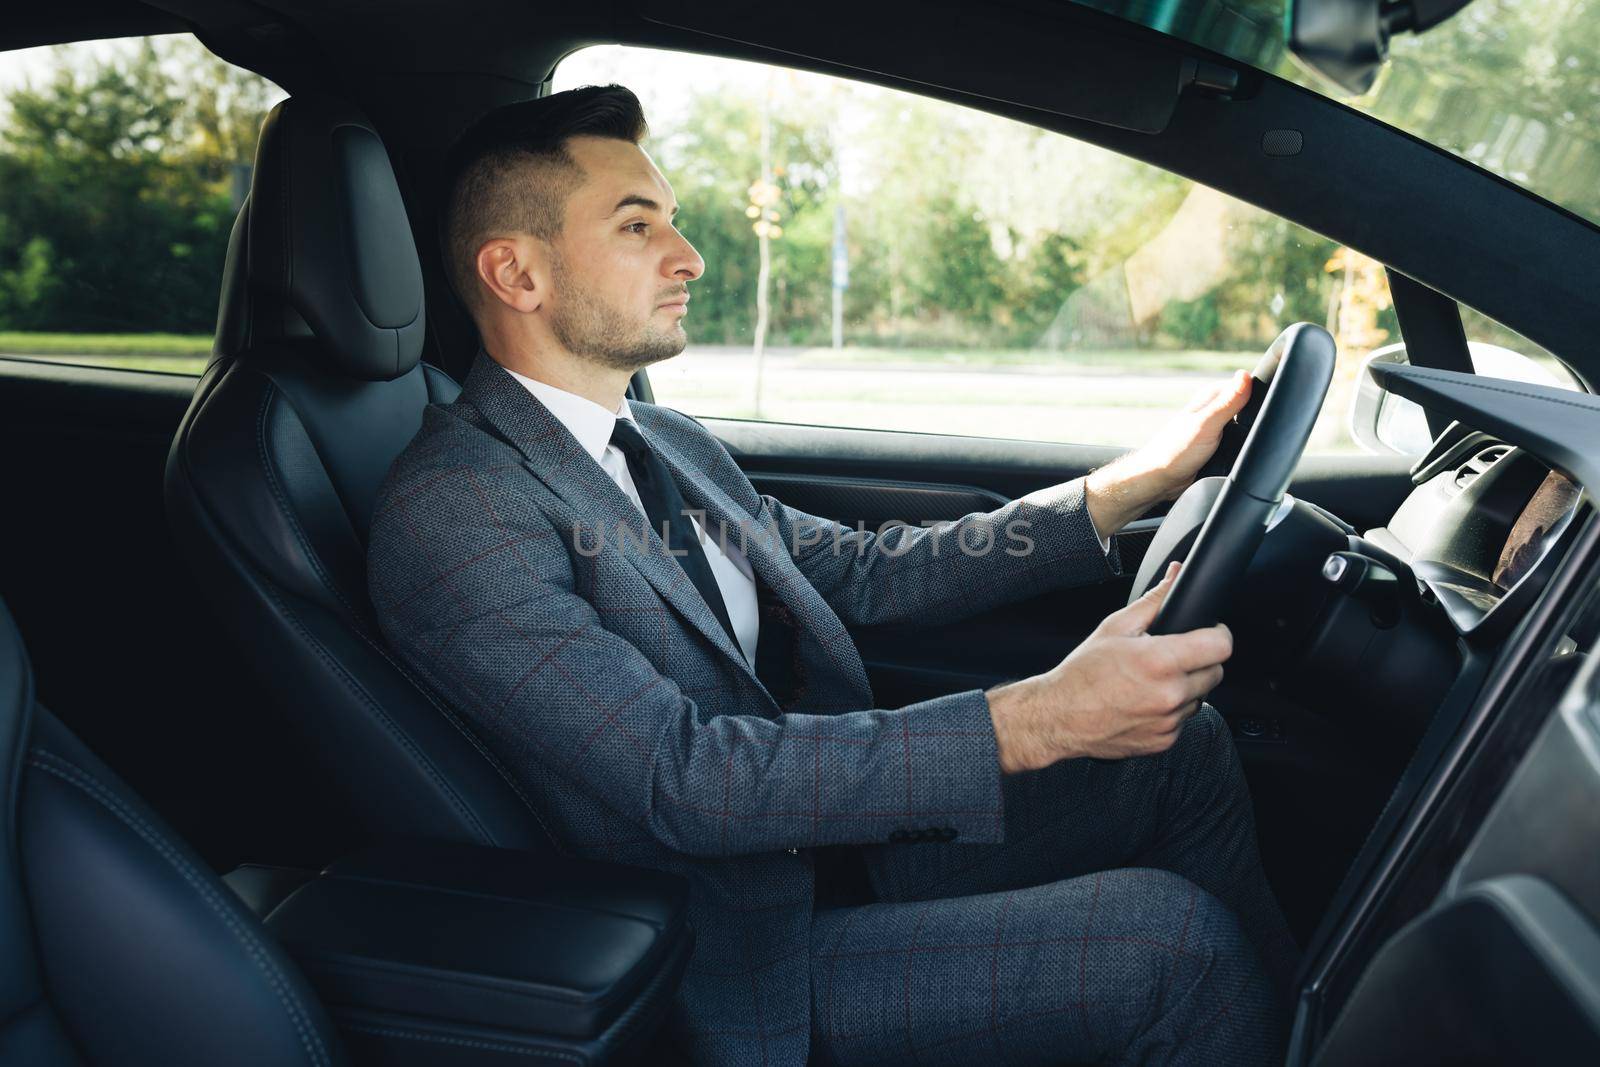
(329, 244)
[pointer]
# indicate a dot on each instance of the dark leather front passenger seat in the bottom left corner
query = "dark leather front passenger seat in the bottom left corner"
(118, 945)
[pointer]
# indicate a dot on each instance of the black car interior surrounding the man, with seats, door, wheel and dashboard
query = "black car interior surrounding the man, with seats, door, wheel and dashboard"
(238, 826)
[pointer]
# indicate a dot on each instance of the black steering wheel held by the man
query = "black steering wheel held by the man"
(1217, 526)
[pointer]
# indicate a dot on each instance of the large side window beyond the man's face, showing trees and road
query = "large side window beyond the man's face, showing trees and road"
(881, 260)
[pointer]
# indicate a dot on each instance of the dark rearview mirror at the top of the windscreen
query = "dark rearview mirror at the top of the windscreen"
(1348, 41)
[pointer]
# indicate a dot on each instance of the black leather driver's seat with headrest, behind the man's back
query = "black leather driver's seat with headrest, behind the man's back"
(314, 388)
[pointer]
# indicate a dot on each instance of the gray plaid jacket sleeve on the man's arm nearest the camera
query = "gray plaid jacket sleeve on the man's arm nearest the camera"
(481, 601)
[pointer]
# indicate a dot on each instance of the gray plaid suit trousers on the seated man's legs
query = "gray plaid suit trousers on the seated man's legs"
(1124, 919)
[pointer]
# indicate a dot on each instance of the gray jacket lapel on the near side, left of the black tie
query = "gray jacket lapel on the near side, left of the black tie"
(598, 505)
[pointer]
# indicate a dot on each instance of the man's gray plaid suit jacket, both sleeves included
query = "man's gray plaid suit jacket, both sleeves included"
(634, 724)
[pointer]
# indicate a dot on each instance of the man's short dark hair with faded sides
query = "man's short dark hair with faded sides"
(513, 170)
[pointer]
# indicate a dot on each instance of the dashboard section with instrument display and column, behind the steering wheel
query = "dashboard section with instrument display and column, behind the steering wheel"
(1394, 617)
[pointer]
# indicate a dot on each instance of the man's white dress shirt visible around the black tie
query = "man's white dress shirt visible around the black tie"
(593, 426)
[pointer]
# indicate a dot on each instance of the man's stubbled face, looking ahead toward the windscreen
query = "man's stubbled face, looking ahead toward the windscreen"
(620, 271)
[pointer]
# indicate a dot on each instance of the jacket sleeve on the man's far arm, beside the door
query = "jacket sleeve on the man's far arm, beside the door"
(951, 570)
